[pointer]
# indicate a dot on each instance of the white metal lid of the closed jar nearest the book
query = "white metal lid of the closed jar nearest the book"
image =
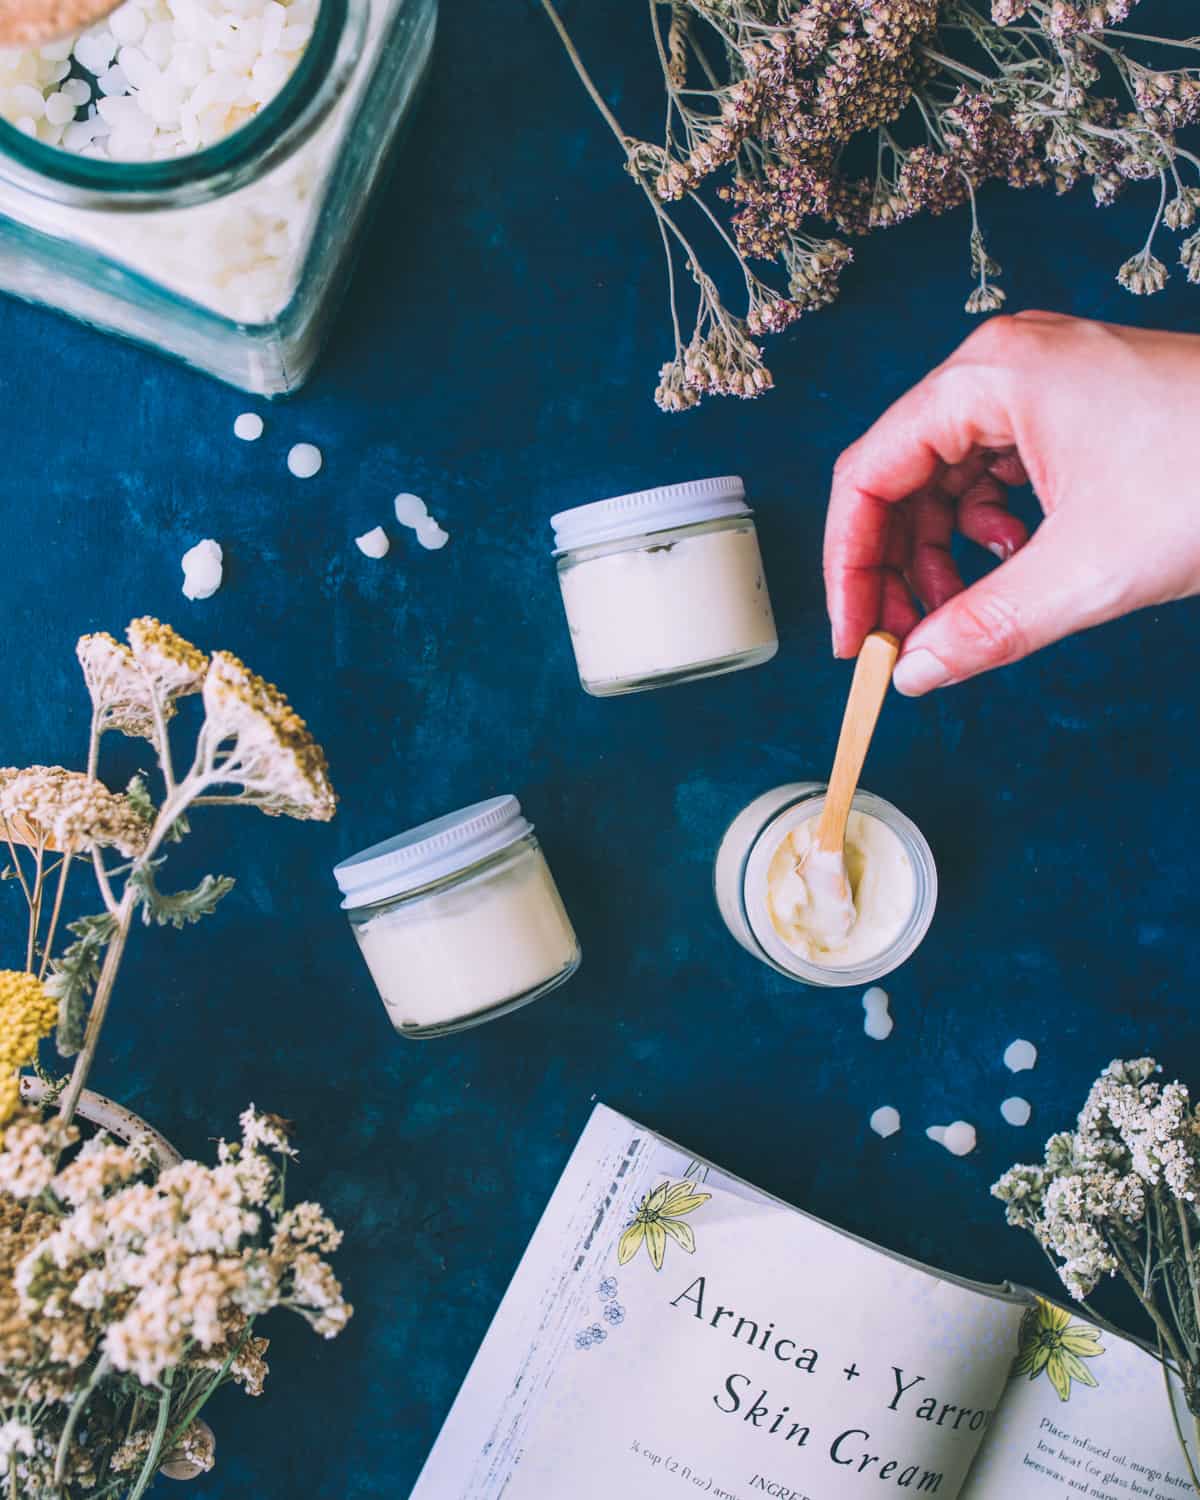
(431, 853)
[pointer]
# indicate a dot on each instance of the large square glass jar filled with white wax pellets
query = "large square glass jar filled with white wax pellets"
(194, 176)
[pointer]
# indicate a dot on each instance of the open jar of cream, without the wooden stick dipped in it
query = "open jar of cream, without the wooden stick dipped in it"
(763, 896)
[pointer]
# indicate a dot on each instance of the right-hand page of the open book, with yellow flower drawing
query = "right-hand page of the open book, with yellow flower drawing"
(1060, 1436)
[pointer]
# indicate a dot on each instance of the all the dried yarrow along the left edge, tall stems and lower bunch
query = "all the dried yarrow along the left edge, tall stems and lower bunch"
(130, 1280)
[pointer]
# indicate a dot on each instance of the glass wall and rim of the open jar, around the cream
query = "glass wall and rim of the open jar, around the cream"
(743, 875)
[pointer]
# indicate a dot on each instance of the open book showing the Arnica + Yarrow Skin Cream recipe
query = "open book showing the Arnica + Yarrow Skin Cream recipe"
(674, 1333)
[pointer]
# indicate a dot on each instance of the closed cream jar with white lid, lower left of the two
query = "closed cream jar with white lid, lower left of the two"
(460, 920)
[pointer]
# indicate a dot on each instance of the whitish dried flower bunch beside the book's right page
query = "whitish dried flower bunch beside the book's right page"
(1118, 1198)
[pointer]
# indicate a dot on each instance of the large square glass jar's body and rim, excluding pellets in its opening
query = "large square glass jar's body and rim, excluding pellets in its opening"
(233, 257)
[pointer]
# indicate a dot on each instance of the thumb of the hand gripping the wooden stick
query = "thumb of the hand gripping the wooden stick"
(1049, 590)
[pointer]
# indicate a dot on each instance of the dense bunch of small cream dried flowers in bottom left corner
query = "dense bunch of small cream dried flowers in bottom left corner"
(130, 1289)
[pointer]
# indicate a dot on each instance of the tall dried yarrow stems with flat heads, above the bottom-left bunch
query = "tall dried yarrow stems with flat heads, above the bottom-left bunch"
(251, 749)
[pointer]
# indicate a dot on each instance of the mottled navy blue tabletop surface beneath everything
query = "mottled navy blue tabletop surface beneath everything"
(497, 356)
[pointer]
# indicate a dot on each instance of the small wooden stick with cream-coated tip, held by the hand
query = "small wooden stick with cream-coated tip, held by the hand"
(824, 868)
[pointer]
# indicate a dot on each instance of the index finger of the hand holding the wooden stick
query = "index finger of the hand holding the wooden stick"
(955, 412)
